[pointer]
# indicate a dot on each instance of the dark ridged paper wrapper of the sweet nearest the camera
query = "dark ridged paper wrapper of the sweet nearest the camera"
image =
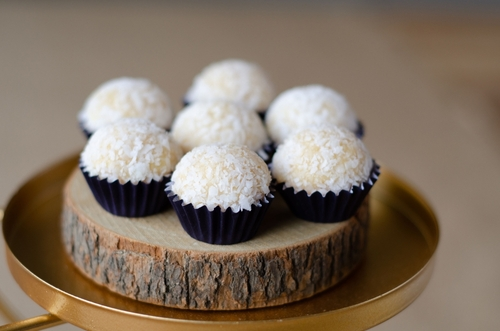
(219, 227)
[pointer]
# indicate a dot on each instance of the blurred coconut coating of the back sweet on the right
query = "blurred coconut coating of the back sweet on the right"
(307, 107)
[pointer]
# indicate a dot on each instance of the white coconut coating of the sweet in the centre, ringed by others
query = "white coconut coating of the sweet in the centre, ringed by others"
(211, 122)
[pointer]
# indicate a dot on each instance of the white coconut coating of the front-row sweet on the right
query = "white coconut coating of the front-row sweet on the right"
(324, 160)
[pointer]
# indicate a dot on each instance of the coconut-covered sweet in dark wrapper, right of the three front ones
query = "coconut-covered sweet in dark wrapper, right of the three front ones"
(324, 174)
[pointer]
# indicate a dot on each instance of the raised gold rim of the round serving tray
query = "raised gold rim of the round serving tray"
(382, 307)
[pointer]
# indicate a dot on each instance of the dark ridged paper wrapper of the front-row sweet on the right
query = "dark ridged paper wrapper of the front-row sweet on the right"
(330, 208)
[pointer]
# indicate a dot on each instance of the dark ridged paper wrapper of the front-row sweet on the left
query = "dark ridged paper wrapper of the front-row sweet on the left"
(129, 200)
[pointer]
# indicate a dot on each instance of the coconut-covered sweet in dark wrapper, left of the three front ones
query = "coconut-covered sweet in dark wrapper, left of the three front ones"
(128, 164)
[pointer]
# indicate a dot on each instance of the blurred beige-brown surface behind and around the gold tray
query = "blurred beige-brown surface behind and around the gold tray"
(425, 83)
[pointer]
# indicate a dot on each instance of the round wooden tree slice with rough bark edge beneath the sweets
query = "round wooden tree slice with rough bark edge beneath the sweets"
(154, 260)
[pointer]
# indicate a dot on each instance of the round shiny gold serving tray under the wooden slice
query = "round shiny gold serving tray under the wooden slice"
(403, 238)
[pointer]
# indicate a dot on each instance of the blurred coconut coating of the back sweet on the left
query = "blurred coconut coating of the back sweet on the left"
(126, 98)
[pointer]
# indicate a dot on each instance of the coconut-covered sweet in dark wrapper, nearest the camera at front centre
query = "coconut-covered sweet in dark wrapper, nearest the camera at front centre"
(220, 193)
